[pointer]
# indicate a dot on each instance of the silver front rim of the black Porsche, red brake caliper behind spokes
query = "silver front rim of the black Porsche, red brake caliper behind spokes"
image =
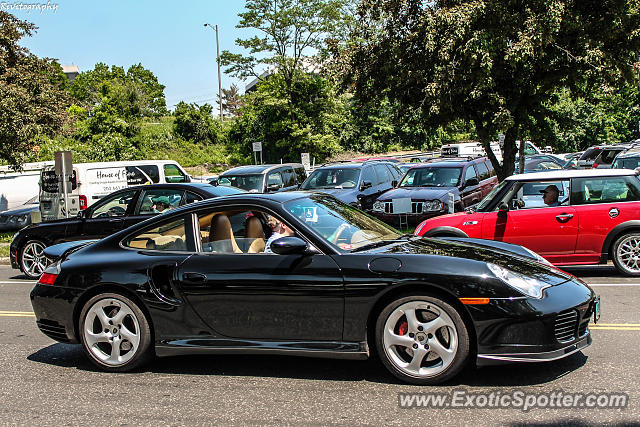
(420, 339)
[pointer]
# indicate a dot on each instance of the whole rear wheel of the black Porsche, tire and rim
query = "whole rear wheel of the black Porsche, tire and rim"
(133, 323)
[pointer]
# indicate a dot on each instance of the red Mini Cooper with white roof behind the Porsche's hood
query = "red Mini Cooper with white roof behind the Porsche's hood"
(569, 217)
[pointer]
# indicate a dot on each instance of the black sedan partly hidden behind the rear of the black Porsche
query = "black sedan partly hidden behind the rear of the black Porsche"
(110, 214)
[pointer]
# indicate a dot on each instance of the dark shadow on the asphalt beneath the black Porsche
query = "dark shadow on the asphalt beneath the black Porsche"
(72, 356)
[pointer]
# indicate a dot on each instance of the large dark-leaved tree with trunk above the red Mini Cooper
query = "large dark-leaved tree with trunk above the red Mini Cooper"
(493, 63)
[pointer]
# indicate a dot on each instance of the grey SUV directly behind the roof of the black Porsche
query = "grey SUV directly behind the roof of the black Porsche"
(264, 178)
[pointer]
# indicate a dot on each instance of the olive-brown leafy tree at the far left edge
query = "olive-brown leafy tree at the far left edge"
(32, 97)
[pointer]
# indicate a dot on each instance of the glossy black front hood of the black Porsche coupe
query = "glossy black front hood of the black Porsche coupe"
(467, 250)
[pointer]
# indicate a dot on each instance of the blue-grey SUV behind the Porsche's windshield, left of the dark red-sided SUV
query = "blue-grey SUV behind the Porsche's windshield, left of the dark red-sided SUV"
(358, 184)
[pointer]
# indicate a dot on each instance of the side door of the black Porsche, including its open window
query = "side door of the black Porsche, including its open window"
(261, 296)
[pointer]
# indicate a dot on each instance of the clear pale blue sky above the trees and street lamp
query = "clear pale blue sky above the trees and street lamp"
(166, 37)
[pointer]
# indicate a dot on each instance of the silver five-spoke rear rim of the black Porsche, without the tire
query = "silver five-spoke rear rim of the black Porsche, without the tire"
(111, 332)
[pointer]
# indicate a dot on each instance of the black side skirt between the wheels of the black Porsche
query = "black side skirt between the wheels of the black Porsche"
(321, 349)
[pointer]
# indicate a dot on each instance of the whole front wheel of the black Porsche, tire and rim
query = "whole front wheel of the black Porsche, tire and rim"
(422, 340)
